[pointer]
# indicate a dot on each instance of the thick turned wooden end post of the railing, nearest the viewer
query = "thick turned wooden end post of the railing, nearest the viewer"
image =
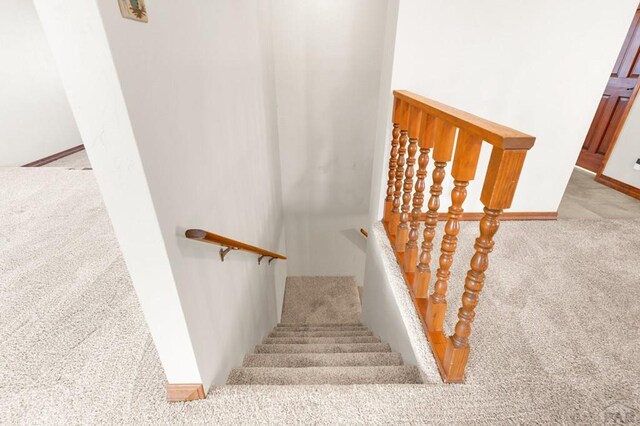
(497, 194)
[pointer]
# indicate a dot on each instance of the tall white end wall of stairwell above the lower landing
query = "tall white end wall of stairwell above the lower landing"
(328, 65)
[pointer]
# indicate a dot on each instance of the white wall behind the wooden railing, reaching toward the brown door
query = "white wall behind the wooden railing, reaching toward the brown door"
(537, 66)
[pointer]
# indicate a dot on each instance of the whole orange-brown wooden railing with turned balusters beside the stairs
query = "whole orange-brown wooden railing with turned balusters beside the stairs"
(454, 135)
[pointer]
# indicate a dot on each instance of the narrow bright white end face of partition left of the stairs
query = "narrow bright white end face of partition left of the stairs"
(80, 47)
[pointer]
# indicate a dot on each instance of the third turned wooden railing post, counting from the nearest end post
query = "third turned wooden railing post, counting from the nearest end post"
(442, 136)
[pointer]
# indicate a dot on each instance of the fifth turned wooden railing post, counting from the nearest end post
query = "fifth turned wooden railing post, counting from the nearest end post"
(402, 235)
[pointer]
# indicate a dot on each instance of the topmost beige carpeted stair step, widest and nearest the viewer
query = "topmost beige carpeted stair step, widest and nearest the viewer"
(324, 375)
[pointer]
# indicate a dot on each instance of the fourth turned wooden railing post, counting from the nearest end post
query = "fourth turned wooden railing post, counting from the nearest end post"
(425, 142)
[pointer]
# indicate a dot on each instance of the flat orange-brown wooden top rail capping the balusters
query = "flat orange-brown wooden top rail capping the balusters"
(496, 134)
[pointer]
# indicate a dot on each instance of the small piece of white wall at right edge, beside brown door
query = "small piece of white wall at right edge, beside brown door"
(626, 151)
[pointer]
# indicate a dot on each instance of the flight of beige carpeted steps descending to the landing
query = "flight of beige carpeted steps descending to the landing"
(303, 354)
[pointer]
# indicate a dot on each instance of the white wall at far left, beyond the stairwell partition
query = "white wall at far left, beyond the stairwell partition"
(35, 119)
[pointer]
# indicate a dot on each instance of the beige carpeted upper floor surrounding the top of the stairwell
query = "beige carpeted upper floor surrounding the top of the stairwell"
(556, 338)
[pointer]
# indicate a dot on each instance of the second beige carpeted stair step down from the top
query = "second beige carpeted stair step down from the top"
(294, 360)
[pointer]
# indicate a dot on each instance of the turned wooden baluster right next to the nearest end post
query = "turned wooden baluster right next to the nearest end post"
(465, 162)
